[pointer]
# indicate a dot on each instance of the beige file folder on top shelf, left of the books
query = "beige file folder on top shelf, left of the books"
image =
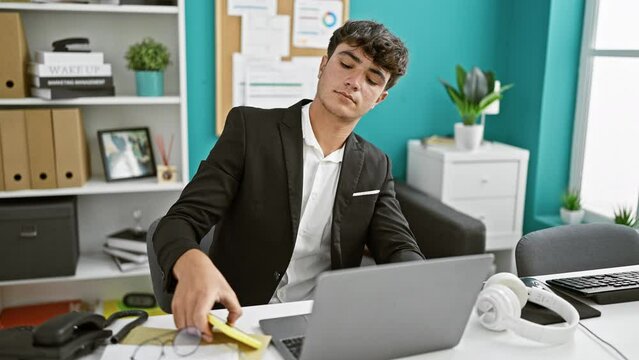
(14, 58)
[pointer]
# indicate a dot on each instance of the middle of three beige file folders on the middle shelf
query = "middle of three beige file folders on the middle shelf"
(41, 151)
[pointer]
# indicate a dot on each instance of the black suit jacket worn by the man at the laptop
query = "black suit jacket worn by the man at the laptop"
(250, 187)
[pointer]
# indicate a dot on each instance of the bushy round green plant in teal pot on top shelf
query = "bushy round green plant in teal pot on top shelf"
(148, 59)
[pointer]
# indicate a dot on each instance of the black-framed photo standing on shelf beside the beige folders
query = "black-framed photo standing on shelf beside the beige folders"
(126, 153)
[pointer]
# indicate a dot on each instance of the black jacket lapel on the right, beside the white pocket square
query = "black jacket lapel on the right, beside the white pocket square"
(352, 164)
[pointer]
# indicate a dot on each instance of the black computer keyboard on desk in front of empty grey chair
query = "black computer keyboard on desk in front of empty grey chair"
(603, 289)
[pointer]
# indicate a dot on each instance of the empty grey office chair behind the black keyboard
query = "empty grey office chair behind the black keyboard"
(575, 248)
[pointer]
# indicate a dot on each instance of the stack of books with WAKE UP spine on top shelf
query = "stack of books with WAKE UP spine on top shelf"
(63, 75)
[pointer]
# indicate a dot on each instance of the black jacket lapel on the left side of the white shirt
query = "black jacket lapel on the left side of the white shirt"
(291, 136)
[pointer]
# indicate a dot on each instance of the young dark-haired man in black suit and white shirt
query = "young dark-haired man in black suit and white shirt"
(292, 192)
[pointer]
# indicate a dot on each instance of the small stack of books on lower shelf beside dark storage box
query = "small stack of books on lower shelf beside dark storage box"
(128, 249)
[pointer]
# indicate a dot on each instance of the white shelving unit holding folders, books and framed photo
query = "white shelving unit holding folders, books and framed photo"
(104, 207)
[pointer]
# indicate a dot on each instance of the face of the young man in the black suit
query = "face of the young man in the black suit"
(350, 84)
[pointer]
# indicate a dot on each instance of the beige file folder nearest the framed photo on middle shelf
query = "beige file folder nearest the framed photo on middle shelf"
(72, 165)
